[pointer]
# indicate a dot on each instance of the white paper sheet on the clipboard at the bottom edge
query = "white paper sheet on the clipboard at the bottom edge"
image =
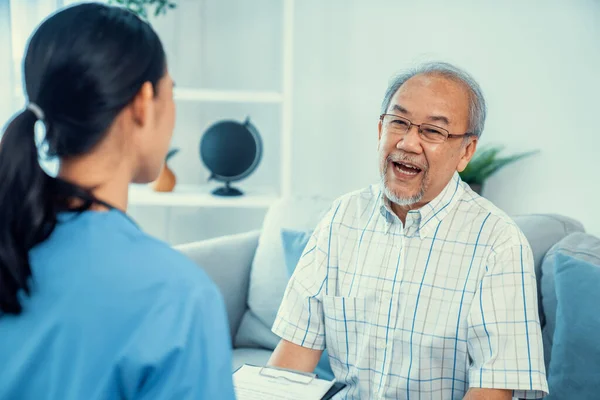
(279, 385)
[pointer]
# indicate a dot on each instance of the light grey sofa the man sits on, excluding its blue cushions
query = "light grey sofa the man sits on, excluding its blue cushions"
(250, 270)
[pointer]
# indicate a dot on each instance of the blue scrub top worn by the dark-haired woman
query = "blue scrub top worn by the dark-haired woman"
(115, 314)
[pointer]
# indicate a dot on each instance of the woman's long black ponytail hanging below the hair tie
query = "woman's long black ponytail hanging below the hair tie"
(29, 203)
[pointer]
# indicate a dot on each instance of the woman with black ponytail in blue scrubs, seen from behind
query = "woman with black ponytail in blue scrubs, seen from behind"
(90, 306)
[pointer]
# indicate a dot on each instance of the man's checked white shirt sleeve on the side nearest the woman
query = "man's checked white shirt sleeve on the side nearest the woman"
(300, 318)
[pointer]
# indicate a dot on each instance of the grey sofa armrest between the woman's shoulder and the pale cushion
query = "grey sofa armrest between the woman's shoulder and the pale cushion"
(227, 261)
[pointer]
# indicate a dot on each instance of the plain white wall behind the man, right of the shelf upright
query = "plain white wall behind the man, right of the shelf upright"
(537, 62)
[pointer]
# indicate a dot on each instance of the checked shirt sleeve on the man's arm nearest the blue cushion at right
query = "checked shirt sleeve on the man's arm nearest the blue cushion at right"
(504, 338)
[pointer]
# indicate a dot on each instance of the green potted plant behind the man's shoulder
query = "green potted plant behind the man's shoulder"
(485, 162)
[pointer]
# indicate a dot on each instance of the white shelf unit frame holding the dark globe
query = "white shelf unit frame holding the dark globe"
(199, 195)
